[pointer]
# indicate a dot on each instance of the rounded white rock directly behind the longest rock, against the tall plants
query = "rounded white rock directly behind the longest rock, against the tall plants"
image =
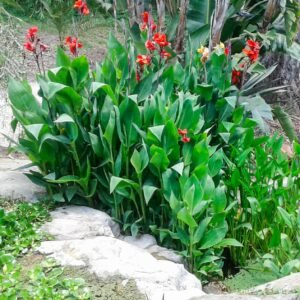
(80, 222)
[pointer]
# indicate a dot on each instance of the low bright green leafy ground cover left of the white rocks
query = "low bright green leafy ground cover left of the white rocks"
(18, 234)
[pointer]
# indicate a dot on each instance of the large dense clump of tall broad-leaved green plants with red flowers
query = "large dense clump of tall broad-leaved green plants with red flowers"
(164, 146)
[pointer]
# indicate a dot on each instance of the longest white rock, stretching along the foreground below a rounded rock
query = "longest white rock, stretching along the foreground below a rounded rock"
(106, 256)
